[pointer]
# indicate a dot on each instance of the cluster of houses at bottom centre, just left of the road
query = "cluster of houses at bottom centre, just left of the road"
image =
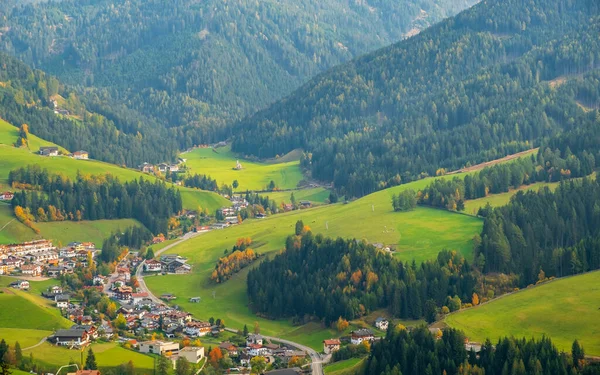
(256, 345)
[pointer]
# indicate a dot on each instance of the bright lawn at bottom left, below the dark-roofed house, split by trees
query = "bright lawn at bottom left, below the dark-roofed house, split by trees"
(107, 355)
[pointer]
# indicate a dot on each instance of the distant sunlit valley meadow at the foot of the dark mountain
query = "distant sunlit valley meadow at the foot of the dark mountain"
(220, 164)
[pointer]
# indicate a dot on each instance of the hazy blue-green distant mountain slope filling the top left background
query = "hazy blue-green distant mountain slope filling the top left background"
(196, 64)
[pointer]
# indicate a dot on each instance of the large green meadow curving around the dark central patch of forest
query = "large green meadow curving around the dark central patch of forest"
(419, 235)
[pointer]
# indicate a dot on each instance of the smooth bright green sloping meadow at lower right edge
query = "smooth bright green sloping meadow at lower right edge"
(563, 310)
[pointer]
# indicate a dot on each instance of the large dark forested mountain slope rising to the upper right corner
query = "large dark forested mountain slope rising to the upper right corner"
(470, 89)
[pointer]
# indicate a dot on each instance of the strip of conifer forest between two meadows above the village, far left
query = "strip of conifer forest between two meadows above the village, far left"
(56, 198)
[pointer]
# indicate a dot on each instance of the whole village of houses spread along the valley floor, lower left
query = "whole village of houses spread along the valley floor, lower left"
(143, 322)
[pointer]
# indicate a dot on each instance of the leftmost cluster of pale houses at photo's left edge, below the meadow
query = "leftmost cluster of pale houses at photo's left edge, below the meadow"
(35, 258)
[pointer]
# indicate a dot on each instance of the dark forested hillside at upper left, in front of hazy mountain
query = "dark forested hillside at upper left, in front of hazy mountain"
(109, 133)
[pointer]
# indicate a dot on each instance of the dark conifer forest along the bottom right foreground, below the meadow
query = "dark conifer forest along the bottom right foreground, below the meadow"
(418, 352)
